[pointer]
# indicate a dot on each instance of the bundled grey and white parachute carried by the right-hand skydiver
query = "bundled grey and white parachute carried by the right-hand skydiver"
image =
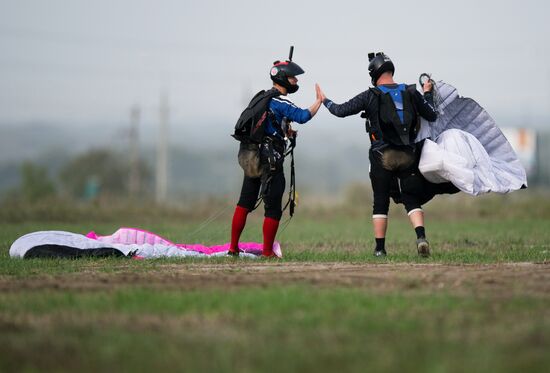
(465, 146)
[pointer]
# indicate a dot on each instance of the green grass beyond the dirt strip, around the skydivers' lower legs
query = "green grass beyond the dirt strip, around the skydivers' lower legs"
(477, 240)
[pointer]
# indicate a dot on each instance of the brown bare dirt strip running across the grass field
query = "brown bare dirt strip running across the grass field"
(498, 280)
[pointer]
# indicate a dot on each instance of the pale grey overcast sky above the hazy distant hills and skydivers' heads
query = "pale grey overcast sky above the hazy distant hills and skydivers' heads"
(82, 62)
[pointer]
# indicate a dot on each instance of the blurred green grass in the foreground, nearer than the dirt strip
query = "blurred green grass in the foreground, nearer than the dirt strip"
(297, 328)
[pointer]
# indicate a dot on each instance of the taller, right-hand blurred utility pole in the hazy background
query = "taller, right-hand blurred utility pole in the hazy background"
(162, 151)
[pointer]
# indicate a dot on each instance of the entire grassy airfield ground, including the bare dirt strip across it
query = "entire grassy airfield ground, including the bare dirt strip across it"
(480, 303)
